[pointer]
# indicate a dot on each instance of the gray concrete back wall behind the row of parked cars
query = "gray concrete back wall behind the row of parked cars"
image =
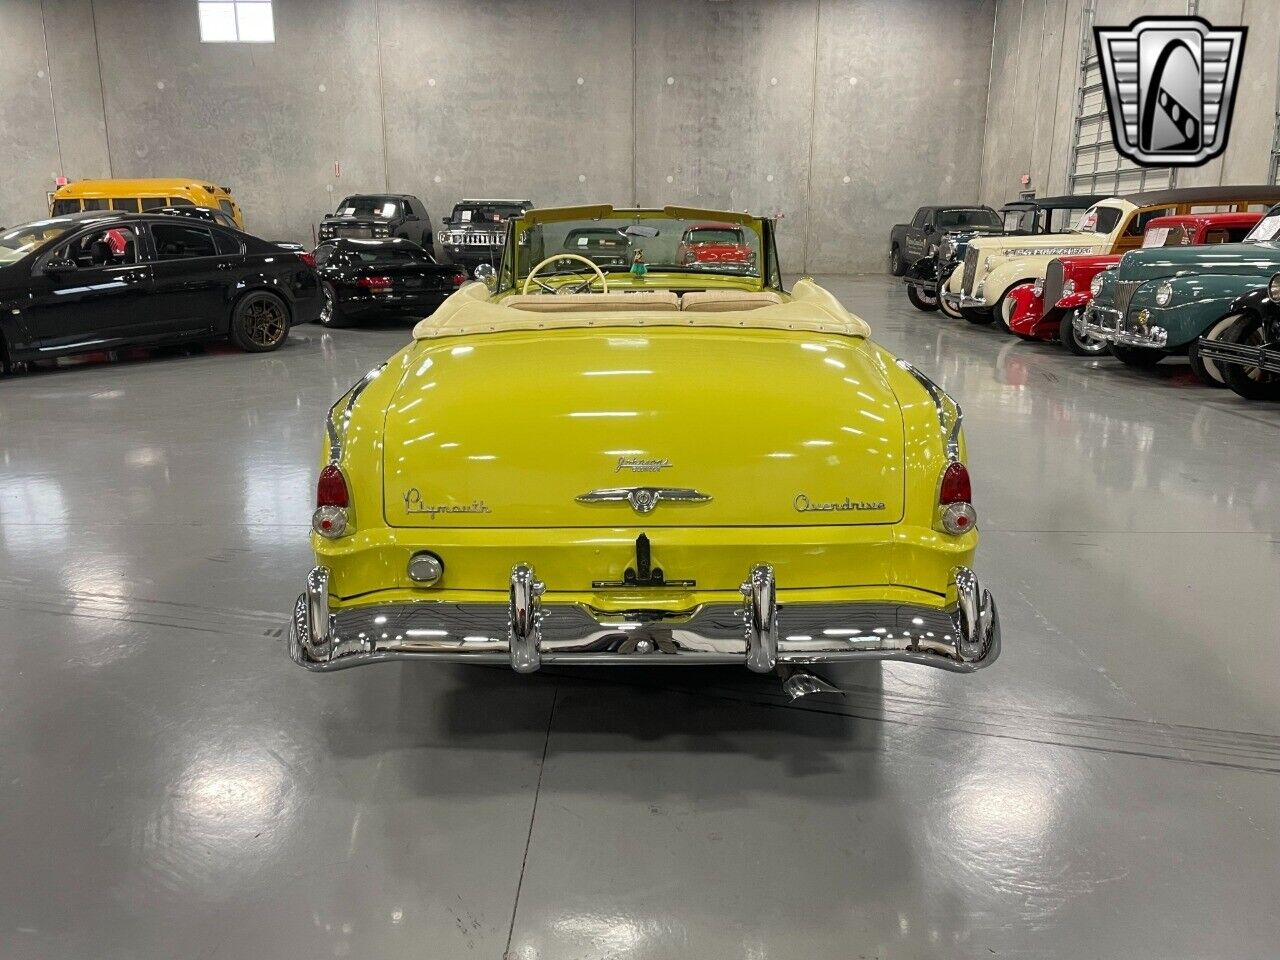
(839, 116)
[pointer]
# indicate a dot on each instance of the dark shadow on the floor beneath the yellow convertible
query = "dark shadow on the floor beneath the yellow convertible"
(705, 711)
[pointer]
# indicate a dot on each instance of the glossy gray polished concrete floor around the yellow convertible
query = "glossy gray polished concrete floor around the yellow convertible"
(172, 787)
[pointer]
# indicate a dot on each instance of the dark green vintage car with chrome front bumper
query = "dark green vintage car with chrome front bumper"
(1163, 300)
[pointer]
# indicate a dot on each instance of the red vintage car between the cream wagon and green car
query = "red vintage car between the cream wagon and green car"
(1068, 281)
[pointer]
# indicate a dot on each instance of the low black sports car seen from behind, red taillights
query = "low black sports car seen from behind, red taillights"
(363, 280)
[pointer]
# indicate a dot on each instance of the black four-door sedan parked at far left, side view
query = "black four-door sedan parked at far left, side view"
(103, 280)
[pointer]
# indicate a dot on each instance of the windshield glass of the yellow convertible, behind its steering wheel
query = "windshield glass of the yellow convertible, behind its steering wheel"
(660, 244)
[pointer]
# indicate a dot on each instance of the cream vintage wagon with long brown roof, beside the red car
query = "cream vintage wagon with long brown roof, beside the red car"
(995, 266)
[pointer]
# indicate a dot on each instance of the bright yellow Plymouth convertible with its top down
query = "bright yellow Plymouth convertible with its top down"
(610, 454)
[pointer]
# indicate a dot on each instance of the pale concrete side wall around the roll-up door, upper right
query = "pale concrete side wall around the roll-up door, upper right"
(1035, 74)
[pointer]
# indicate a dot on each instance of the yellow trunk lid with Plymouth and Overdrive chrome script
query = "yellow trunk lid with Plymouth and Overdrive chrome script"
(525, 431)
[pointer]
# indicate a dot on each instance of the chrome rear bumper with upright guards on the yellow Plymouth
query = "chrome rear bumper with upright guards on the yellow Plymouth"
(758, 633)
